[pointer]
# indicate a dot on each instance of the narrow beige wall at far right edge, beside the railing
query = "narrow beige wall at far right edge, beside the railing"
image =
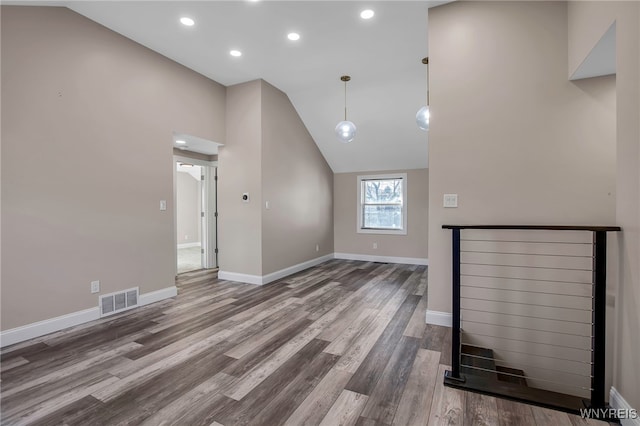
(627, 374)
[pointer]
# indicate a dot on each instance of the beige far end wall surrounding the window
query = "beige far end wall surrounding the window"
(348, 240)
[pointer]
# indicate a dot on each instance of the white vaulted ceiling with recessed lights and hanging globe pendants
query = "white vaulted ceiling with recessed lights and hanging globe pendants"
(382, 55)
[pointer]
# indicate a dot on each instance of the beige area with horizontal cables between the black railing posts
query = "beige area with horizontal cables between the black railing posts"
(527, 296)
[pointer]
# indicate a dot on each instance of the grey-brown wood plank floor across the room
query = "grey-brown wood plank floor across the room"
(343, 343)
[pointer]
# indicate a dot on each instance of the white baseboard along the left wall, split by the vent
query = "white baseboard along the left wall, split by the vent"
(40, 328)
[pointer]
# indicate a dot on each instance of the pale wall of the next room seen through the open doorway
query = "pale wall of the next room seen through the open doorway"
(188, 208)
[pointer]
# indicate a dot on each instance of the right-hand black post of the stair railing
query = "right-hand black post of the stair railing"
(599, 318)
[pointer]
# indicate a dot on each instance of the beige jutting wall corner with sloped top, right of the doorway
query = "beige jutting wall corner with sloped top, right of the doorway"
(270, 154)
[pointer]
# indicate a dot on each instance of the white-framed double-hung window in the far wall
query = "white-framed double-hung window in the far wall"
(382, 204)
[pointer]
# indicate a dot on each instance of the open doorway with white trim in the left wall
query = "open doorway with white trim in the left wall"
(195, 223)
